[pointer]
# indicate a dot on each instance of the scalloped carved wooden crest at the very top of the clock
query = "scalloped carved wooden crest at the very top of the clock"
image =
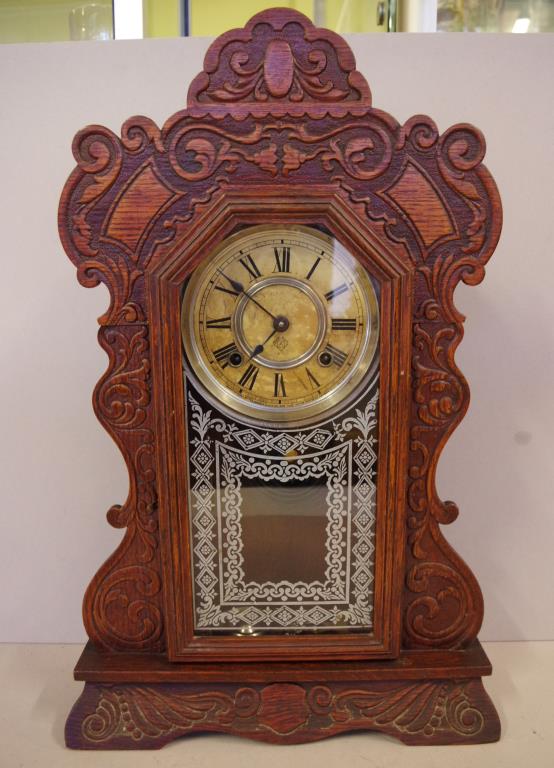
(279, 63)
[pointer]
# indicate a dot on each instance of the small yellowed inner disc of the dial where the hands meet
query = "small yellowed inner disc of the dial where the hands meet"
(288, 321)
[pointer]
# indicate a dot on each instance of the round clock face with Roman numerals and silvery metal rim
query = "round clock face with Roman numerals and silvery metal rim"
(280, 323)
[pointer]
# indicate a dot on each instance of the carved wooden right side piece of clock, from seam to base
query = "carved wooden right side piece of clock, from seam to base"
(443, 602)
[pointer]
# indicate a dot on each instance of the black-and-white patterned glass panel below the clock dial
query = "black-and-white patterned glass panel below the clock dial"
(282, 521)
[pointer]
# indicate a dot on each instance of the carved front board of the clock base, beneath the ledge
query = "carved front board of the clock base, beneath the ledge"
(435, 712)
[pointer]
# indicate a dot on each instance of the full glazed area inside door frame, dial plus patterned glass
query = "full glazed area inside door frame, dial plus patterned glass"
(280, 333)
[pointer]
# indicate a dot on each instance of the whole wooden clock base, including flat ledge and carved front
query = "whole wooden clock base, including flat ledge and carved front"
(144, 702)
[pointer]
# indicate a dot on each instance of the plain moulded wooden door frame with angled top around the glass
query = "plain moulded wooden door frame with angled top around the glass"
(250, 206)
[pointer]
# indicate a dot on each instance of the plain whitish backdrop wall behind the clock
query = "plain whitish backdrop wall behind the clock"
(59, 470)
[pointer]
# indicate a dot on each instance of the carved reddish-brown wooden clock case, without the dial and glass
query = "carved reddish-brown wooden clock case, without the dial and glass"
(279, 128)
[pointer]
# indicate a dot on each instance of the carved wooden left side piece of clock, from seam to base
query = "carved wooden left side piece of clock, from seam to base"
(129, 583)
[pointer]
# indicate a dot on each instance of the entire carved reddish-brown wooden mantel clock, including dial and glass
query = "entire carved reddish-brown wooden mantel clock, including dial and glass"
(281, 259)
